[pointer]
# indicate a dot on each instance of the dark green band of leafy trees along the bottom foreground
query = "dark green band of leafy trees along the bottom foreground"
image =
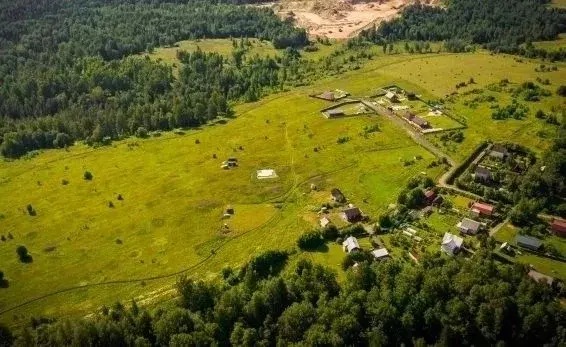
(441, 301)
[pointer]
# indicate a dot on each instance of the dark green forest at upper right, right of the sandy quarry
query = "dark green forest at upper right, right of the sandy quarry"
(498, 25)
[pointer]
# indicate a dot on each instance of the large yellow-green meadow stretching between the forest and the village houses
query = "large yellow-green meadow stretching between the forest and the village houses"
(174, 191)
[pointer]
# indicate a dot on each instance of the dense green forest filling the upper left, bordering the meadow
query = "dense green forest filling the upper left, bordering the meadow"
(66, 74)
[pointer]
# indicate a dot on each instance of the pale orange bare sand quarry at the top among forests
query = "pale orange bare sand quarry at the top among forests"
(338, 19)
